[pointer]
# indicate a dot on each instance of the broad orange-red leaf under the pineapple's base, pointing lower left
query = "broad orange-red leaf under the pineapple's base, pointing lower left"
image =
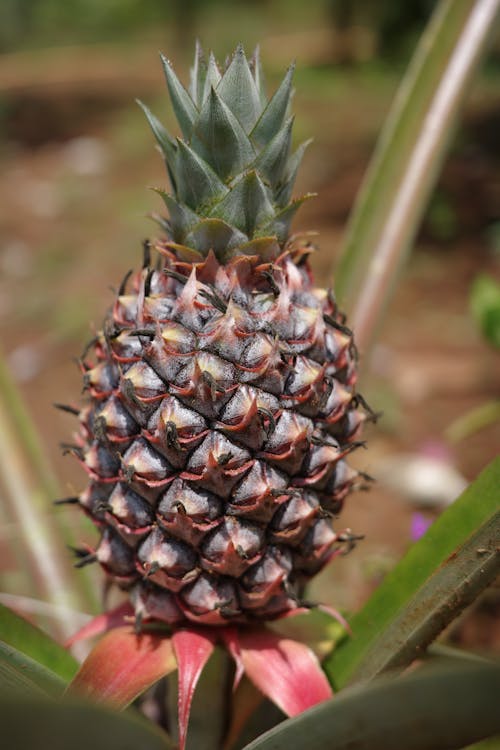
(123, 665)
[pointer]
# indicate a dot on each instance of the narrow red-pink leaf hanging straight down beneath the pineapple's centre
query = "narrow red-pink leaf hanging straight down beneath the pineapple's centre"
(192, 649)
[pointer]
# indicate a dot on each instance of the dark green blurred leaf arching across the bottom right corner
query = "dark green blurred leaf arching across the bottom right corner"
(432, 709)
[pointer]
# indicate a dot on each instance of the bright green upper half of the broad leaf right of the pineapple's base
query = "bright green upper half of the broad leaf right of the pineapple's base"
(475, 507)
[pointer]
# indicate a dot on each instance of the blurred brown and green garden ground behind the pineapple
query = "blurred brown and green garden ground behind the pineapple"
(77, 157)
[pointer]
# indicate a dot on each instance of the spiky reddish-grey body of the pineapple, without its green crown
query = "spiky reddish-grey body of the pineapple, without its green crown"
(221, 408)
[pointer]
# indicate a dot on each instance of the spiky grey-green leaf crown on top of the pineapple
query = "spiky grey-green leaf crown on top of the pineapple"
(232, 172)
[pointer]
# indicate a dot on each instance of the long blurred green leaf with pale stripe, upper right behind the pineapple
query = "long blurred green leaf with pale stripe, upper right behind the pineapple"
(409, 156)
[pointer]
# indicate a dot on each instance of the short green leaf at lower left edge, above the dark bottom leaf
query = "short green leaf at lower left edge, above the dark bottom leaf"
(22, 635)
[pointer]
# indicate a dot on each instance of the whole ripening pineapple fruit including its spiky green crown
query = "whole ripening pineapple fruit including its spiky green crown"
(221, 389)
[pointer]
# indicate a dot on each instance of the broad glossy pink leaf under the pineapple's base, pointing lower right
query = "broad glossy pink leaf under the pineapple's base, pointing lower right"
(286, 671)
